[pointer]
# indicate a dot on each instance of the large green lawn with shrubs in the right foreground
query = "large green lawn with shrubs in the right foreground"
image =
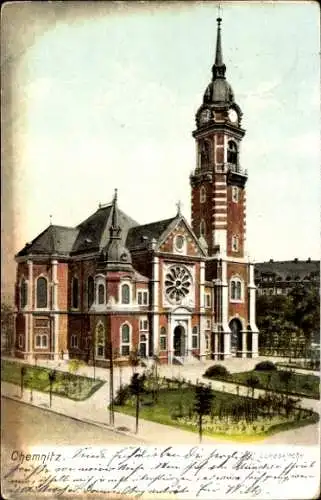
(175, 407)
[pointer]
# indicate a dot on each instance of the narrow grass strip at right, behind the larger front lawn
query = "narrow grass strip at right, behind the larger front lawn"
(304, 385)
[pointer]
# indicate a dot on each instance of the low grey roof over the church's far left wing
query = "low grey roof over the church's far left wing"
(56, 240)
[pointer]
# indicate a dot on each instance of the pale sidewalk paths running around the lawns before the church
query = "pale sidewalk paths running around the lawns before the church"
(95, 409)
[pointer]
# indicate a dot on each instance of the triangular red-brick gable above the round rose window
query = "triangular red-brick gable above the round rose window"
(180, 240)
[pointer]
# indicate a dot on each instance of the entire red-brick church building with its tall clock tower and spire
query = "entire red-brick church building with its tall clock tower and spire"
(182, 293)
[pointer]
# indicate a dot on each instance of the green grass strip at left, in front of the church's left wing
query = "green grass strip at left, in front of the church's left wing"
(67, 385)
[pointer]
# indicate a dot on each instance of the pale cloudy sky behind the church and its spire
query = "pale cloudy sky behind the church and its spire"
(104, 95)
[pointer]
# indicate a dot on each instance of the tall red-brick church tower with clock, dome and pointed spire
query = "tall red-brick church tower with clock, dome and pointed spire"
(219, 213)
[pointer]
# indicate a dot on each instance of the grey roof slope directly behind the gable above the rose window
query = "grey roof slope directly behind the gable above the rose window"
(140, 237)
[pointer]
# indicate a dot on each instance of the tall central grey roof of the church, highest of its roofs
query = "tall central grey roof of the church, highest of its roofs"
(94, 232)
